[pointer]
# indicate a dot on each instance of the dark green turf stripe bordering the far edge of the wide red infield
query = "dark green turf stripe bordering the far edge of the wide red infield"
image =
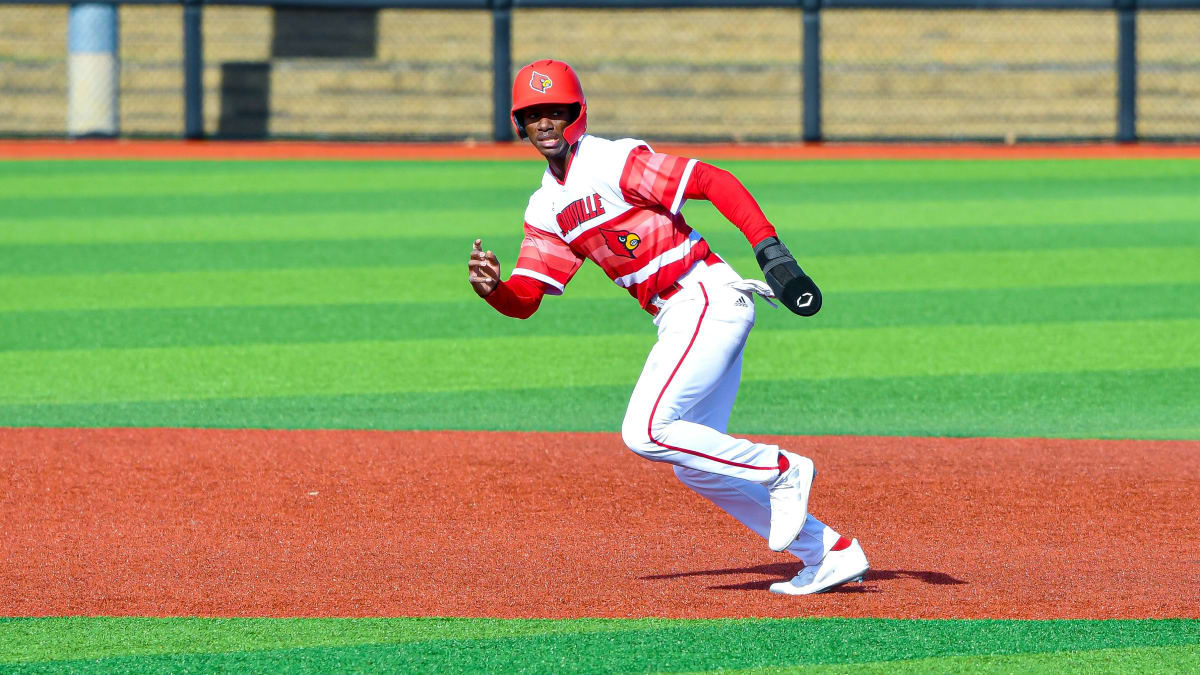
(1123, 404)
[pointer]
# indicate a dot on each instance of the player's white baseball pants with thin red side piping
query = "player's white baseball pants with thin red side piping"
(682, 403)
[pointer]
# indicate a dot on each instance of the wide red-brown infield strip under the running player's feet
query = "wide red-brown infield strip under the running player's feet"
(253, 523)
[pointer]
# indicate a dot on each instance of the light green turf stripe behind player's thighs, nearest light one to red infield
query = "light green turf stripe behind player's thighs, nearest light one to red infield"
(439, 366)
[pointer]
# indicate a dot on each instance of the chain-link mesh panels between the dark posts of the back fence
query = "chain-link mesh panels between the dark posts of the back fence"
(680, 74)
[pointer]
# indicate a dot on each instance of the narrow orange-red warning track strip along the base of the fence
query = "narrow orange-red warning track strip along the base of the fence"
(124, 150)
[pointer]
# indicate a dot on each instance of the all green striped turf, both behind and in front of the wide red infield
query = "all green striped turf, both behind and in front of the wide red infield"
(1015, 298)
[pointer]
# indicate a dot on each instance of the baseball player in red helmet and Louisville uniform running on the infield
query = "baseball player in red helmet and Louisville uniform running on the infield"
(619, 205)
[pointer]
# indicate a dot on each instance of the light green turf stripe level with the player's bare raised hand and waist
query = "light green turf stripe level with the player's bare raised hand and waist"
(442, 283)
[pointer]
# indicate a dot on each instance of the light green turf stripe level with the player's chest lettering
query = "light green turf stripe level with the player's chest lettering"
(467, 219)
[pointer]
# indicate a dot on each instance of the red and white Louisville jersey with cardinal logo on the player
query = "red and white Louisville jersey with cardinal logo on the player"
(620, 207)
